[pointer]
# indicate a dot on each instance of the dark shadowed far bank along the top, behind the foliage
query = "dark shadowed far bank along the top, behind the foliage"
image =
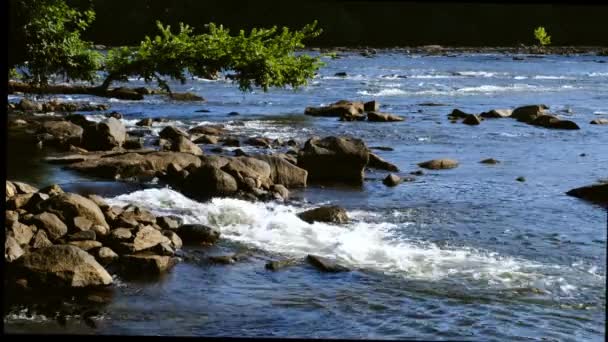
(353, 23)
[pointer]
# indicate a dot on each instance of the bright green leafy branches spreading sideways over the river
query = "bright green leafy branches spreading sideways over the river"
(263, 57)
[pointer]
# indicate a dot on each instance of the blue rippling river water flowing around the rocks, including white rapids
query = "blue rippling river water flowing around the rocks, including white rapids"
(466, 253)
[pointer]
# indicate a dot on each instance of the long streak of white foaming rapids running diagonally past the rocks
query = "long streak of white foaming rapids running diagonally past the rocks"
(276, 228)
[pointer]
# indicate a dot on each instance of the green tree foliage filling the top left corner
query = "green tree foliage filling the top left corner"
(52, 43)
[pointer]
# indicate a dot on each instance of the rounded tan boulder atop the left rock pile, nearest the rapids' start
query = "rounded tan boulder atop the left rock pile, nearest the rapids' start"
(68, 206)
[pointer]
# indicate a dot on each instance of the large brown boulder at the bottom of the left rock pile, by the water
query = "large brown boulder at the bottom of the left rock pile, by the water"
(63, 266)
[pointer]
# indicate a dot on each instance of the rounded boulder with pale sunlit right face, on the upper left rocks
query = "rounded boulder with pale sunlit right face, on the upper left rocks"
(105, 135)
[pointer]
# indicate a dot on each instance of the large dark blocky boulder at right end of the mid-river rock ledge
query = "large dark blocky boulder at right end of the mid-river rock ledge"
(335, 159)
